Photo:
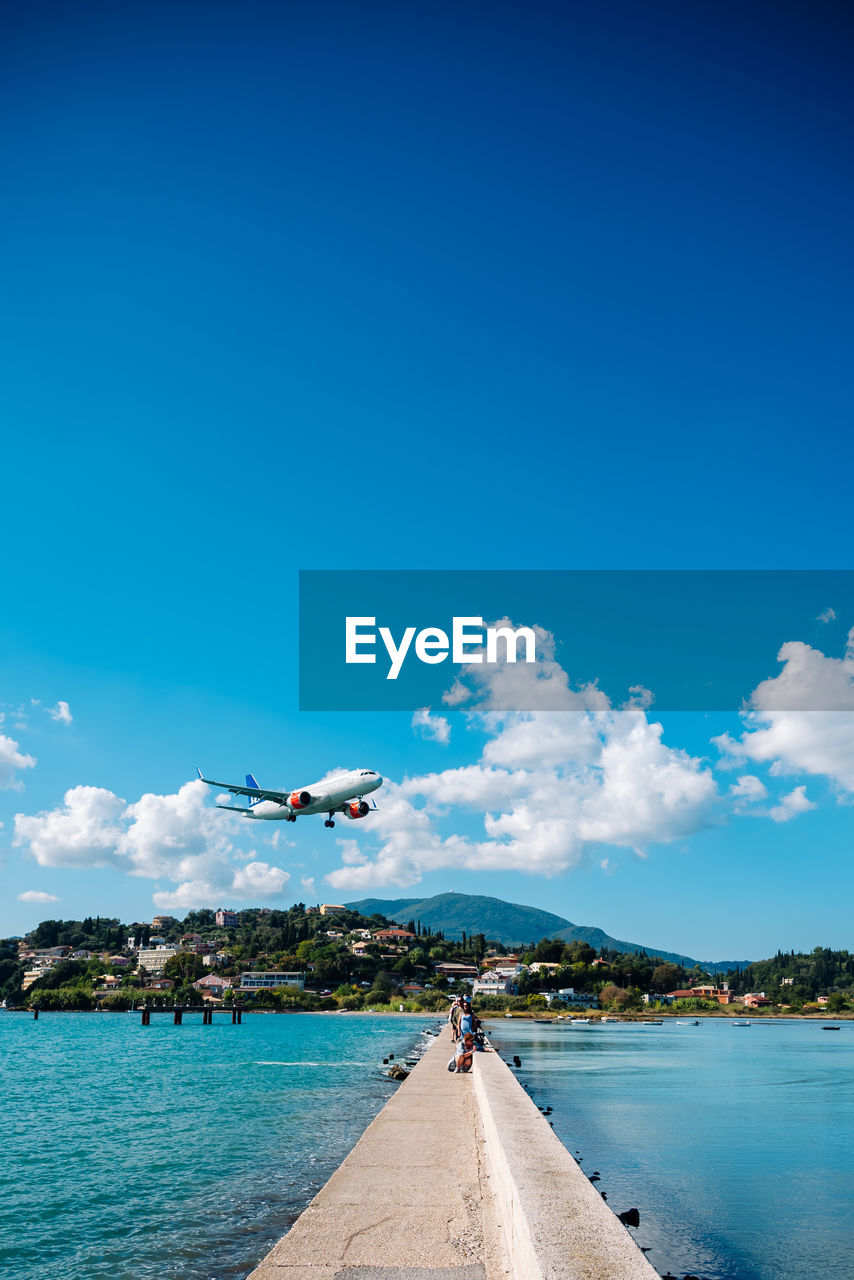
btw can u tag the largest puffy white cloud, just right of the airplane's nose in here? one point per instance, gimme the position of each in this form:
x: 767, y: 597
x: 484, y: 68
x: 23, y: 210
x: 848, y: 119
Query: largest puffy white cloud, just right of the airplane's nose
x: 552, y: 784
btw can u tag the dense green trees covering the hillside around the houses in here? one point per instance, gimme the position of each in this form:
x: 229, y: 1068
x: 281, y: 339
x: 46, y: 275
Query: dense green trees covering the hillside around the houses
x: 299, y: 940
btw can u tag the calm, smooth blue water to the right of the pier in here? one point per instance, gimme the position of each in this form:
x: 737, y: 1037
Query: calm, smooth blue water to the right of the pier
x: 737, y: 1145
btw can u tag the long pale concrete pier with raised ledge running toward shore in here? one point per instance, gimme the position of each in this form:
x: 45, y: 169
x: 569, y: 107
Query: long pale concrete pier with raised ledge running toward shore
x: 459, y: 1178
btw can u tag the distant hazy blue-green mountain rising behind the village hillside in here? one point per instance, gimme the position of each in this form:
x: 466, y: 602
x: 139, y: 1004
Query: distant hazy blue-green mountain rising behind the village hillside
x: 513, y: 925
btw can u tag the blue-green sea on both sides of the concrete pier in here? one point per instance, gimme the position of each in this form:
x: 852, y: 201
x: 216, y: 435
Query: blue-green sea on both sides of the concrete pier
x: 185, y: 1153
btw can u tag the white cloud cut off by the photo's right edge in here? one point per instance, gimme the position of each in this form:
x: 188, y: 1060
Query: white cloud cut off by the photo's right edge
x: 802, y: 721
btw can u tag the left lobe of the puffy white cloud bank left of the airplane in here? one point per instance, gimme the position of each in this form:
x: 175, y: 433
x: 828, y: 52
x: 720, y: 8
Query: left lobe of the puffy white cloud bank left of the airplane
x: 84, y: 833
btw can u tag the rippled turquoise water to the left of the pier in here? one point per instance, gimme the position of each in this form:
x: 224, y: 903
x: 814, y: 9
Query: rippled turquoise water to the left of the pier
x: 138, y: 1153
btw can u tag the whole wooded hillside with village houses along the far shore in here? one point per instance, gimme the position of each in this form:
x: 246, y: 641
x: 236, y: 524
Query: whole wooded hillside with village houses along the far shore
x: 331, y: 957
